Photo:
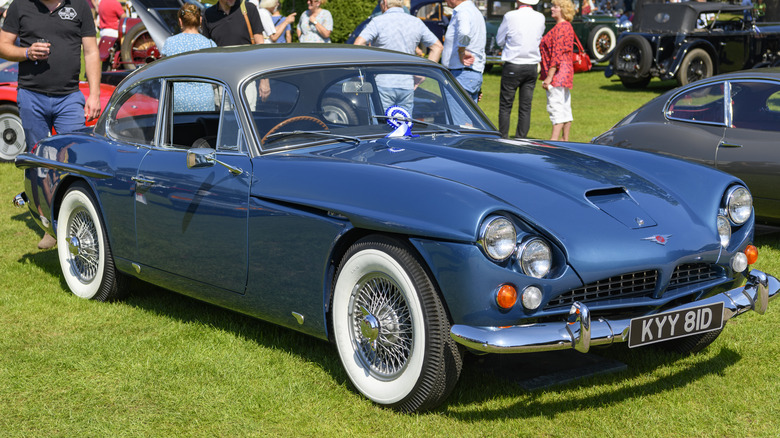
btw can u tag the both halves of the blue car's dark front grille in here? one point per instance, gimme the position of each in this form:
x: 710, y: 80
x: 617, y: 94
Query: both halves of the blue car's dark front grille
x: 635, y: 284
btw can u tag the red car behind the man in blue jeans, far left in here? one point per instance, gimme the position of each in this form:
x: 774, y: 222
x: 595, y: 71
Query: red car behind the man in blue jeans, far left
x: 12, y: 142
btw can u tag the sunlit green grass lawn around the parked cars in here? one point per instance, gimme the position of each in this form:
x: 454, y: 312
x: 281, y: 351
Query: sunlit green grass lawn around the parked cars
x: 160, y: 364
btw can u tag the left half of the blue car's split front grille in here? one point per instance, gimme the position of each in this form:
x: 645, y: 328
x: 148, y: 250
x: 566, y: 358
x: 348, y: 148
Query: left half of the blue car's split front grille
x: 635, y: 284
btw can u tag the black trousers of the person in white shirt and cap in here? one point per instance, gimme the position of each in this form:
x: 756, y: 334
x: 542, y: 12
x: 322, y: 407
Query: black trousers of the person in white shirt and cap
x: 514, y: 76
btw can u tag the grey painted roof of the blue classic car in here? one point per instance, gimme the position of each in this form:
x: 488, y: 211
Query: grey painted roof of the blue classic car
x: 233, y: 64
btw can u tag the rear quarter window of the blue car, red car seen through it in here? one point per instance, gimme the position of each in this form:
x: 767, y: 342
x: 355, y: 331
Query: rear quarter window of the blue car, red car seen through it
x: 134, y: 118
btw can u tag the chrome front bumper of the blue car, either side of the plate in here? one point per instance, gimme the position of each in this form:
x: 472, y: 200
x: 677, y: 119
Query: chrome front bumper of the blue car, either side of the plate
x: 580, y: 333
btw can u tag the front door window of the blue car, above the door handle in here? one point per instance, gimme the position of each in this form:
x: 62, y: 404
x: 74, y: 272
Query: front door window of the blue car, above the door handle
x: 194, y: 114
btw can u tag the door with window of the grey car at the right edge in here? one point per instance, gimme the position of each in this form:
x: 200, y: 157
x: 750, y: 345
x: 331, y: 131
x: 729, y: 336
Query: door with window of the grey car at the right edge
x: 750, y: 147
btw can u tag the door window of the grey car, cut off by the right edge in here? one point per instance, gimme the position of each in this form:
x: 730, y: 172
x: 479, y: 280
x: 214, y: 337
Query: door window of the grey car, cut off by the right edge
x: 755, y: 105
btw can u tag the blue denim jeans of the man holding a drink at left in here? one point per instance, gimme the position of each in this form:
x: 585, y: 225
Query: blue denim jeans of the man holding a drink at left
x: 41, y: 113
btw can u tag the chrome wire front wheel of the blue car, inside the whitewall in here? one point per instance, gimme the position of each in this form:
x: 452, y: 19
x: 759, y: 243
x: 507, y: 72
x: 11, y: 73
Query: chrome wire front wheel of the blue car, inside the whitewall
x: 381, y: 326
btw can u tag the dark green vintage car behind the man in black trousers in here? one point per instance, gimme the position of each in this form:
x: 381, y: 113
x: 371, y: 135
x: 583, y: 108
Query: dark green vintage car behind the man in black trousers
x: 597, y: 32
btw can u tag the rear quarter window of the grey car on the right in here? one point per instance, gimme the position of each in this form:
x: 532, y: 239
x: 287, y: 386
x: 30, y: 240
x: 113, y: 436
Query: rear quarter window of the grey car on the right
x: 702, y: 105
